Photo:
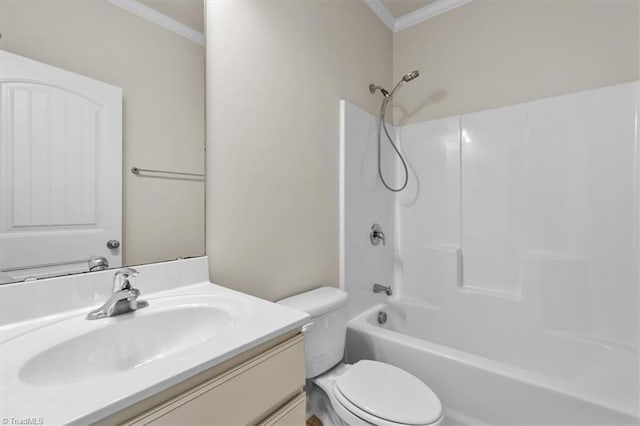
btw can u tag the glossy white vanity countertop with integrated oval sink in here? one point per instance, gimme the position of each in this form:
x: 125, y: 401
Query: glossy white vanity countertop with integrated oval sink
x: 79, y: 371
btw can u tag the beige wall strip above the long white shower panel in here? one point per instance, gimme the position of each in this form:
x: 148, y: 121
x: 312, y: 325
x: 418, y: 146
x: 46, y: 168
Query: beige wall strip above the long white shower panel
x: 491, y: 53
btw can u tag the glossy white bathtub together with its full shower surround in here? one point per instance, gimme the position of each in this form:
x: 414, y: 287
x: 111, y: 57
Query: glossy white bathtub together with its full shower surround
x: 513, y: 254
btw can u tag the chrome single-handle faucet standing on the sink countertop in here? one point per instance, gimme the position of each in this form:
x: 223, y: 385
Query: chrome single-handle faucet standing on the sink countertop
x: 124, y: 297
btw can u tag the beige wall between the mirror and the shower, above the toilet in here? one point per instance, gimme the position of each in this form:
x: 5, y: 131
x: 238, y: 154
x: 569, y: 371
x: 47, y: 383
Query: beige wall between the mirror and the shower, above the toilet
x: 276, y: 70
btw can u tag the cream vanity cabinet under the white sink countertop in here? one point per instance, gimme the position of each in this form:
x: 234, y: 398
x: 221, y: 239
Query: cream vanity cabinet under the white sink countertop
x: 262, y: 386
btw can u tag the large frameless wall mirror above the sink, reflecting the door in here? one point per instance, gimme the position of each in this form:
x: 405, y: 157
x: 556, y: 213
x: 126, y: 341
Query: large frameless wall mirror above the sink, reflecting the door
x: 101, y: 134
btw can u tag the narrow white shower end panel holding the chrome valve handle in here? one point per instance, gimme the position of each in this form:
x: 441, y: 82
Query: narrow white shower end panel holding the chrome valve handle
x: 364, y: 201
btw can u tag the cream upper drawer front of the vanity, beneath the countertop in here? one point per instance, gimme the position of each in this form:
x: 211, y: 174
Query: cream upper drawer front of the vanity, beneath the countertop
x: 240, y: 396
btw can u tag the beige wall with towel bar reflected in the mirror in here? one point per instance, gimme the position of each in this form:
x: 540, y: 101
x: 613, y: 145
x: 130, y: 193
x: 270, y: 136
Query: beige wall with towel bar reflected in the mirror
x: 162, y: 77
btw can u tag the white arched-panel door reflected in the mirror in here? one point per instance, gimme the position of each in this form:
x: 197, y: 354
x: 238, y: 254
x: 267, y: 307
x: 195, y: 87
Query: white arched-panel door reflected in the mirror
x: 60, y: 169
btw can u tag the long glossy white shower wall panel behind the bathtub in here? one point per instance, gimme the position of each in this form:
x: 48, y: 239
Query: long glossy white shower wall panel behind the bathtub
x: 544, y: 241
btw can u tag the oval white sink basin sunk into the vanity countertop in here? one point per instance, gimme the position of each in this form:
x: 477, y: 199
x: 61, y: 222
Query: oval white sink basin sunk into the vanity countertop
x: 130, y: 341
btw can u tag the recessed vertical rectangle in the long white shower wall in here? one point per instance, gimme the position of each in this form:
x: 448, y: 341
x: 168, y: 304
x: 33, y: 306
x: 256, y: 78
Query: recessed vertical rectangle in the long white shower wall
x: 493, y: 145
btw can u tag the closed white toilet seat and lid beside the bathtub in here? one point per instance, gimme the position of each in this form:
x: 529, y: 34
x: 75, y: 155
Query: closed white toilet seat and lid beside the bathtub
x: 380, y: 394
